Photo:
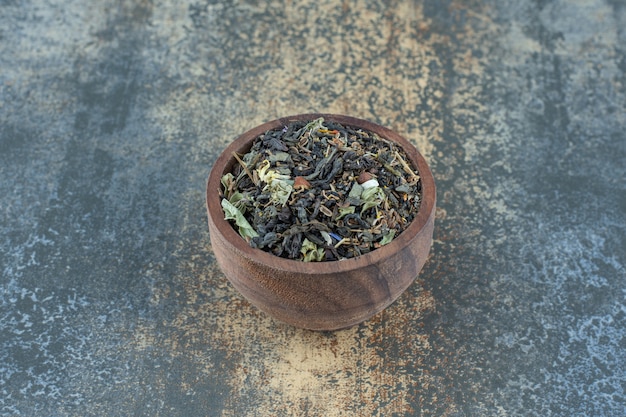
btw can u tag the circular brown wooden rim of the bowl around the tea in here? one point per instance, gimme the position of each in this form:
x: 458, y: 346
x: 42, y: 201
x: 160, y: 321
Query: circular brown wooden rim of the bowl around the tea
x: 242, y: 144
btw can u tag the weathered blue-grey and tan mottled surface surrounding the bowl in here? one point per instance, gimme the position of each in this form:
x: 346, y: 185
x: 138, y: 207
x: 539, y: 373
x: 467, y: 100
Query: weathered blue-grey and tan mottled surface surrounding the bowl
x: 112, y: 113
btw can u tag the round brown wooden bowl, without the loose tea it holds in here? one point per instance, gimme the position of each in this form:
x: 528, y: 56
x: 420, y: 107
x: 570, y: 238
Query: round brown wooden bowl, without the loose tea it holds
x: 321, y: 295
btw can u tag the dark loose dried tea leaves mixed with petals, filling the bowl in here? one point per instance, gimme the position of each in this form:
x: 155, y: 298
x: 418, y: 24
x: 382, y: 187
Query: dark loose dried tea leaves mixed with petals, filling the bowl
x: 321, y: 192
